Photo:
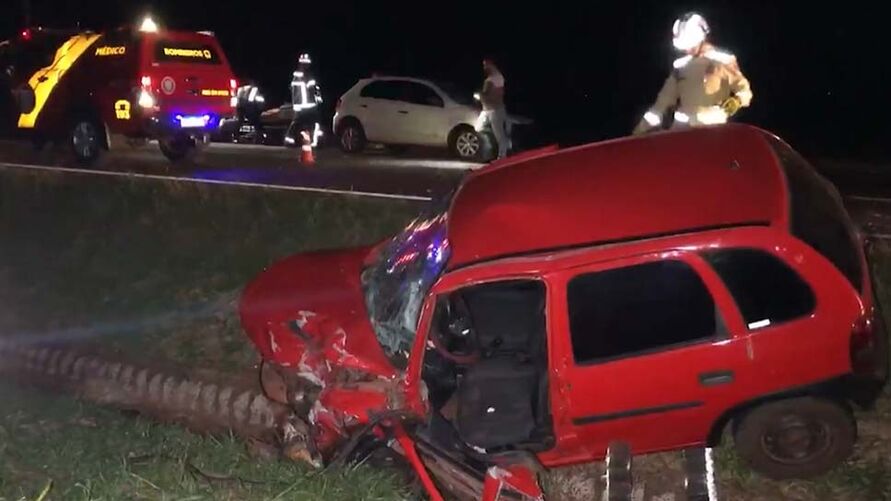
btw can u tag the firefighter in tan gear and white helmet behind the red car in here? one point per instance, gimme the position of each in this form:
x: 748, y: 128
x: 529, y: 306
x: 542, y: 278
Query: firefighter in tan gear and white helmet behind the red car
x: 705, y: 87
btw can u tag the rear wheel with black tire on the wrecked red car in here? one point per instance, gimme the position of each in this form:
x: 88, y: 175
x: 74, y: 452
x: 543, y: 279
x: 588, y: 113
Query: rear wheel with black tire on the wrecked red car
x: 796, y: 438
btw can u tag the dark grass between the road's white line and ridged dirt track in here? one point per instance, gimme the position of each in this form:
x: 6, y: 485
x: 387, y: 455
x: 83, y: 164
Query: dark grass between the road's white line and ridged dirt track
x: 148, y: 267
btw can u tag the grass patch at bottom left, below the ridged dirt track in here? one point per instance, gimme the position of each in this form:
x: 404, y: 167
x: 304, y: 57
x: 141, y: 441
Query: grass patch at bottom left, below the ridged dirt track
x: 87, y: 453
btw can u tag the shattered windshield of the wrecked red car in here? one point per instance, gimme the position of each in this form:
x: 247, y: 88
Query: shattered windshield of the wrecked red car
x: 397, y: 282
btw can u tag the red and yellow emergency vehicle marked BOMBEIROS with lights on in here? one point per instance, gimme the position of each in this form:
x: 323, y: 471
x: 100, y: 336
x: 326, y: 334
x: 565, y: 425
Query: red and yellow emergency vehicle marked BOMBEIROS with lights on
x: 89, y: 89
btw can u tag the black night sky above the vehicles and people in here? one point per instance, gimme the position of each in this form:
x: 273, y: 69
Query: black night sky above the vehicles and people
x: 584, y: 70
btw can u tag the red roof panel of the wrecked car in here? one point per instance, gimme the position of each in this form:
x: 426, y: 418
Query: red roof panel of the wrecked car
x: 624, y: 189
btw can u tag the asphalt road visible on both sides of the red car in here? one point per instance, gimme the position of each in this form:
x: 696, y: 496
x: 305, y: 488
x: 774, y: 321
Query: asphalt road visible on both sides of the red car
x: 415, y: 175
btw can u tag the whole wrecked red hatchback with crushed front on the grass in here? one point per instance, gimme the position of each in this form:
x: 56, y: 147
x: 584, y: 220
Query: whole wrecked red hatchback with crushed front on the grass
x: 650, y: 290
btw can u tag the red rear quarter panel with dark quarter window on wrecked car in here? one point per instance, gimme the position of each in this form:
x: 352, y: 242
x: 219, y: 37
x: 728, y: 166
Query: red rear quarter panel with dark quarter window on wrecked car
x: 786, y: 321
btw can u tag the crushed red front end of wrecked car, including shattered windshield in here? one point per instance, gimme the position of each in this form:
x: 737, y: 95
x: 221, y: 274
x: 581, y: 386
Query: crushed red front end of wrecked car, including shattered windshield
x: 335, y: 330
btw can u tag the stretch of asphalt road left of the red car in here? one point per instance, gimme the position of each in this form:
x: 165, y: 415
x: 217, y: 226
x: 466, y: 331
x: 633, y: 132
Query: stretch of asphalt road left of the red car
x: 414, y: 175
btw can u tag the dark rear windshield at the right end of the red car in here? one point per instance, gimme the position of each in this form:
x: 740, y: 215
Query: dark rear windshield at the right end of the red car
x: 818, y: 216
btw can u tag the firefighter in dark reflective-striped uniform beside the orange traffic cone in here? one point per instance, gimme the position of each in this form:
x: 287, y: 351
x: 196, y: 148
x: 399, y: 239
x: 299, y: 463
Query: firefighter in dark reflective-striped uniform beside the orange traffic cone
x: 306, y: 97
